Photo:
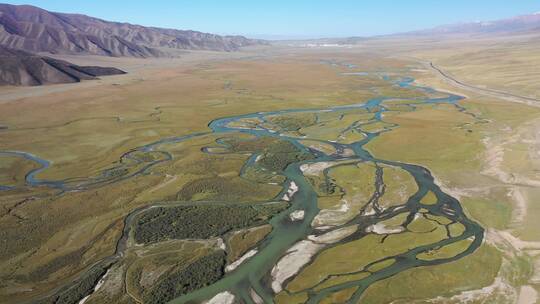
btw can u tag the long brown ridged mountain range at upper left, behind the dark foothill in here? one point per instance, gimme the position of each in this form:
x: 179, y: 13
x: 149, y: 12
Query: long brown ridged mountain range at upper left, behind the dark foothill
x: 36, y: 30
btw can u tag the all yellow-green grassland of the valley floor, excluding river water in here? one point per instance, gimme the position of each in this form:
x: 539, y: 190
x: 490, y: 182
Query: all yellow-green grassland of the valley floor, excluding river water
x: 66, y: 234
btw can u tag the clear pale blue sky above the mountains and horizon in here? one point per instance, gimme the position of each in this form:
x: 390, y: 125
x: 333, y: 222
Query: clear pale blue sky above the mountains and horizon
x: 293, y: 19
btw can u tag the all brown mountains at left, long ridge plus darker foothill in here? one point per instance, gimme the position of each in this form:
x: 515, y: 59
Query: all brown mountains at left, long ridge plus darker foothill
x: 26, y: 30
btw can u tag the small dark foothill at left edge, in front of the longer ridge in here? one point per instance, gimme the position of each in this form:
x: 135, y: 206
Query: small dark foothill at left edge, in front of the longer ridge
x: 23, y: 68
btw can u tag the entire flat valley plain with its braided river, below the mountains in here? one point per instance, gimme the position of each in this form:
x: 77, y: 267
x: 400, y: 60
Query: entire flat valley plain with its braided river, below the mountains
x: 155, y: 143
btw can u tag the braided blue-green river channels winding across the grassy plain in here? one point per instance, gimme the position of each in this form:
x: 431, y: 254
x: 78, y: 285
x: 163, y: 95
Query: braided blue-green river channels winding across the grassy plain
x: 253, y: 275
